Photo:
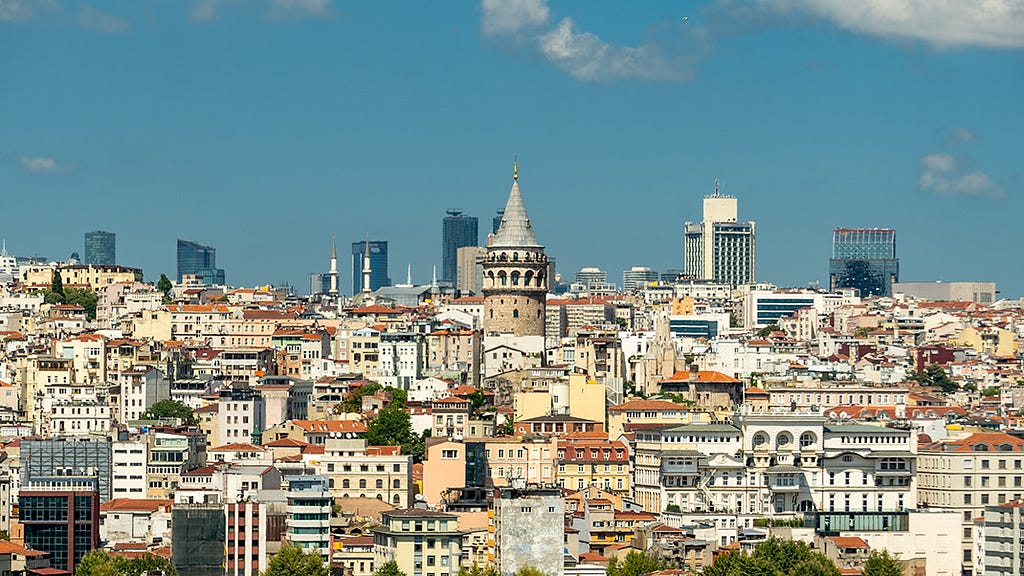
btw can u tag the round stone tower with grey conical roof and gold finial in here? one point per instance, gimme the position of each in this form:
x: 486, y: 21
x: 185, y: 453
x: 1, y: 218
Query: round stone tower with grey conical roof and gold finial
x: 516, y: 280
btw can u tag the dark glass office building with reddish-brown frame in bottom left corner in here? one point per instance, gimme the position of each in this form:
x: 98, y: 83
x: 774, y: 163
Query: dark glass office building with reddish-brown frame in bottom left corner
x: 61, y: 517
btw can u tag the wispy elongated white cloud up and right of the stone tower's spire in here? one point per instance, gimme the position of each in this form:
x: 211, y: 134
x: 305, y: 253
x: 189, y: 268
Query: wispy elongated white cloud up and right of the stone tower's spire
x: 586, y: 57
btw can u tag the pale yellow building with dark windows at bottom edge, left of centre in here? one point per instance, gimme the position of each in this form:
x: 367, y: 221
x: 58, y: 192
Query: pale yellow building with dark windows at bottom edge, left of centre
x: 422, y: 543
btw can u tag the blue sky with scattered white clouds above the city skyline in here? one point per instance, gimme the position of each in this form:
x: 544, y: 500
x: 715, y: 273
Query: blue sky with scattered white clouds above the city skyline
x: 265, y: 128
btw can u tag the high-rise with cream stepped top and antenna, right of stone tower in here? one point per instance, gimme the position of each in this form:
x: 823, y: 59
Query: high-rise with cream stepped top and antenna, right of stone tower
x: 719, y: 248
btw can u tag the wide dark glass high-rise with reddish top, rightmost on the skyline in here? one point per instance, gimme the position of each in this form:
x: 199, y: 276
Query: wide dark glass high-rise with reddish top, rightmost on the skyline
x: 866, y: 260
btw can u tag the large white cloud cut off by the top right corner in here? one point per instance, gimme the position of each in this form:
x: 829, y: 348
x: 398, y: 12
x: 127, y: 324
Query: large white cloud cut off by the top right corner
x: 992, y: 24
